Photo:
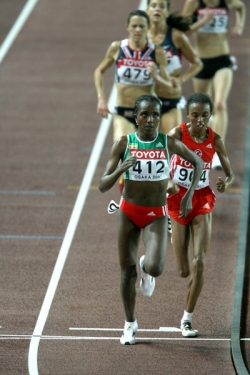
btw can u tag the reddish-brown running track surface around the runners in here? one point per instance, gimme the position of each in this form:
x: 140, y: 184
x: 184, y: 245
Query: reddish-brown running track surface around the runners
x: 48, y: 127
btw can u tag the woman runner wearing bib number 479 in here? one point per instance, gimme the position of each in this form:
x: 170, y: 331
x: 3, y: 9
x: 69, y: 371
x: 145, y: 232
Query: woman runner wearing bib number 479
x: 139, y: 65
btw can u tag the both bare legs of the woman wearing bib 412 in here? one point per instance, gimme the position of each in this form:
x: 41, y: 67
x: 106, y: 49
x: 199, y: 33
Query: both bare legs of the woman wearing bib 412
x: 155, y: 242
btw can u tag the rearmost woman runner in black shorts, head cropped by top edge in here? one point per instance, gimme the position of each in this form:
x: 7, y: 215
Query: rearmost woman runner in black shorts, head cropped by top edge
x: 212, y: 46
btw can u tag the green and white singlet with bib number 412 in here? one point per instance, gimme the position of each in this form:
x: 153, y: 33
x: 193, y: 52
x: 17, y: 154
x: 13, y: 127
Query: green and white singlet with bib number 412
x: 152, y: 158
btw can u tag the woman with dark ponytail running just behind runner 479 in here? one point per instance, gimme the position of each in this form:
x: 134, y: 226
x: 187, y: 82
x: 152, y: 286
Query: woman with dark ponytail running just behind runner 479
x: 168, y: 31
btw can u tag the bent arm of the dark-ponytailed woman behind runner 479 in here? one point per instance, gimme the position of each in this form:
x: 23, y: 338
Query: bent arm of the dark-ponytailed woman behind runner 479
x: 181, y: 41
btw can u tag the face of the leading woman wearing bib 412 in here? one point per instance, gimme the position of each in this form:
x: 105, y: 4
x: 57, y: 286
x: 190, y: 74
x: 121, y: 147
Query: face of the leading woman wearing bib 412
x: 148, y: 118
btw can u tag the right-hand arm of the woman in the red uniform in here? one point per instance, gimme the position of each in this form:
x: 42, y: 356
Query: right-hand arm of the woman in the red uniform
x: 223, y: 185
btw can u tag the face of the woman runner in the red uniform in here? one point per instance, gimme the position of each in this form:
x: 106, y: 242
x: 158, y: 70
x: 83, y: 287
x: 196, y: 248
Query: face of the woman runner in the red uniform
x: 199, y: 115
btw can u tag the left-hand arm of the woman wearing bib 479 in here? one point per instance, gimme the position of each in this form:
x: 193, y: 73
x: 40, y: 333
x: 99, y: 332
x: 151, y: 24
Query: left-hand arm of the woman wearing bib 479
x: 107, y: 62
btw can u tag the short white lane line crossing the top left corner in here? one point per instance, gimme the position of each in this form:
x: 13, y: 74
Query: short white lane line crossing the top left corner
x: 24, y: 15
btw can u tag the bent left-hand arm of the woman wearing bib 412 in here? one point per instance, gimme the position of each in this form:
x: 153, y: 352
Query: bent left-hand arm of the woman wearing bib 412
x: 113, y: 171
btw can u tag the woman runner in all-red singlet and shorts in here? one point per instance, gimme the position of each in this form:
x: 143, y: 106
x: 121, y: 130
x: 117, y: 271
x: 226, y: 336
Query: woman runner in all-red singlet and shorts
x: 196, y: 227
